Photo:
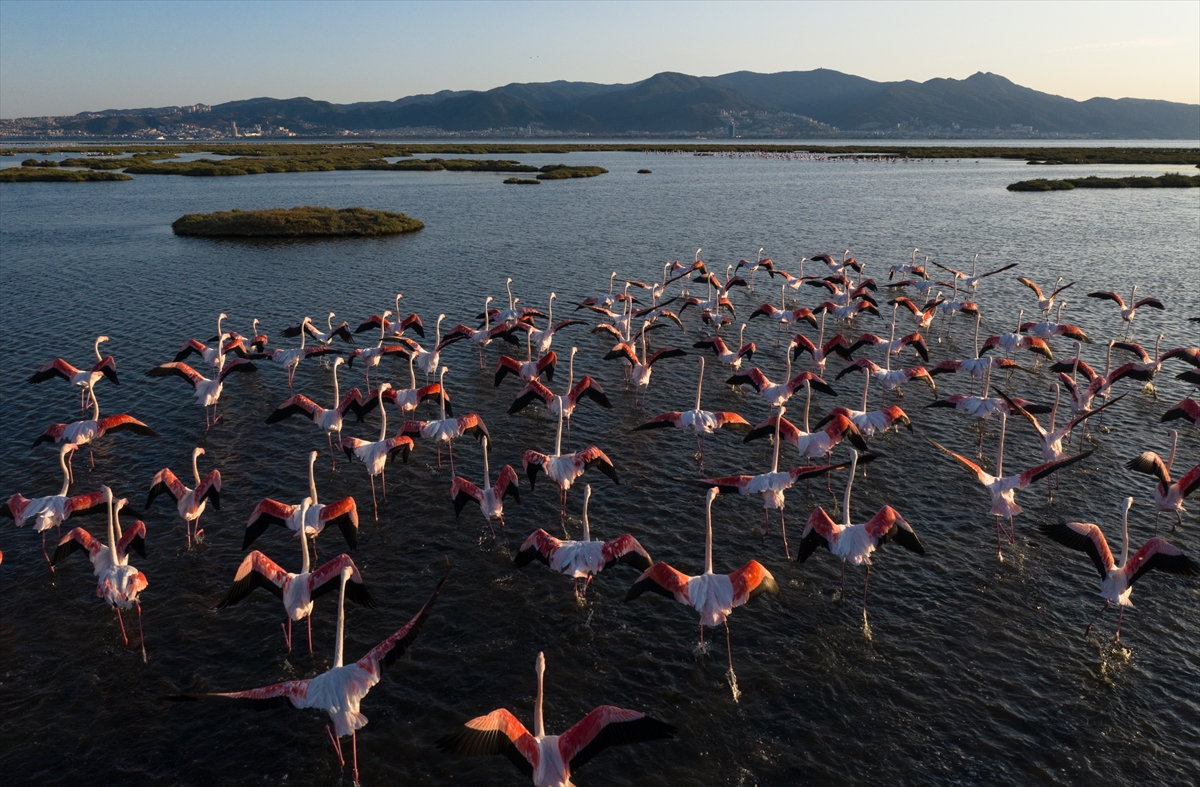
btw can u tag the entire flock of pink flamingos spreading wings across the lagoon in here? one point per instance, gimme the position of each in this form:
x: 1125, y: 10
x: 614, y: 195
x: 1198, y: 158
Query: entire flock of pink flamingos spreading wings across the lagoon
x: 633, y: 314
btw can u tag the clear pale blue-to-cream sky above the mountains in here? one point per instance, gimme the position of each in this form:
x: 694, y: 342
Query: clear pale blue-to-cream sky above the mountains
x: 63, y: 58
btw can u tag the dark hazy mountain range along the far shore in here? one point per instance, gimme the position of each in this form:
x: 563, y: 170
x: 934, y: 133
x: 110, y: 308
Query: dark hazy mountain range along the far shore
x: 820, y: 103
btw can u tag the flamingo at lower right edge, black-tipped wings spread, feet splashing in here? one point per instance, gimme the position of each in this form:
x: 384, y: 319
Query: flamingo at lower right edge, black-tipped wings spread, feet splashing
x: 1117, y: 581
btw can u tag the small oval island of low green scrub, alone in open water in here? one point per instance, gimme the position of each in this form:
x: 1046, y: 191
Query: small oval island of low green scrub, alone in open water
x: 297, y: 223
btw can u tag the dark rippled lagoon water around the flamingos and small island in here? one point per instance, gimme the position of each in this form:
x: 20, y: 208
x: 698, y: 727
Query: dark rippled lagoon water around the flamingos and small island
x: 971, y: 672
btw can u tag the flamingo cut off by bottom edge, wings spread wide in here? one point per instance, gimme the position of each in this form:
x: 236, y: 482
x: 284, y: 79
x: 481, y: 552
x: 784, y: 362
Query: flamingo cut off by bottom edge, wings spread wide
x: 550, y: 761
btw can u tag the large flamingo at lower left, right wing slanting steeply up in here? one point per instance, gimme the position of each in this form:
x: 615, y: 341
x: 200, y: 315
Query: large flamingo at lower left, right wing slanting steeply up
x: 340, y: 689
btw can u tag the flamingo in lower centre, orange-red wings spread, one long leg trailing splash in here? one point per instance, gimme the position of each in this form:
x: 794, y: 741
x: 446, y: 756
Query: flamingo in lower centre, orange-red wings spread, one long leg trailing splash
x: 713, y: 596
